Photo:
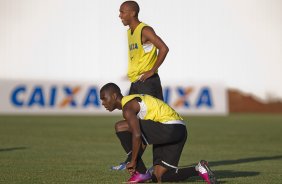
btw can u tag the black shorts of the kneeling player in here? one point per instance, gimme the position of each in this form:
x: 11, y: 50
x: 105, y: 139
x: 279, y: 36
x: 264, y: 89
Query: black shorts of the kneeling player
x: 168, y: 141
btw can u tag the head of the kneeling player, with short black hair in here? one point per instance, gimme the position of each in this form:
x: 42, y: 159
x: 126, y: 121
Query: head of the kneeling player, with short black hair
x: 109, y: 94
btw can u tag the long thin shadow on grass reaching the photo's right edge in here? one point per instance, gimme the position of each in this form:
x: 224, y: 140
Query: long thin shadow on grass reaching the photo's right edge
x: 243, y: 160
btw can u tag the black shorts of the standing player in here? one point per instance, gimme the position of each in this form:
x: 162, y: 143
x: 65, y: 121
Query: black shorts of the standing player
x: 151, y: 86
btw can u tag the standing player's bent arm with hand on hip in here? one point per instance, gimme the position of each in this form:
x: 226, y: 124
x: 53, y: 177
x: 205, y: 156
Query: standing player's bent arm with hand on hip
x: 149, y: 36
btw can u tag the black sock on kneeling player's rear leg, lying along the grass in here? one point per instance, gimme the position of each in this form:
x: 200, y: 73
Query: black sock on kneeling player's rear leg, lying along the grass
x: 181, y: 175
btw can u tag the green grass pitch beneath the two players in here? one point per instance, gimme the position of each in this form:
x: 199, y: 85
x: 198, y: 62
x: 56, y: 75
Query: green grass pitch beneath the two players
x: 241, y: 148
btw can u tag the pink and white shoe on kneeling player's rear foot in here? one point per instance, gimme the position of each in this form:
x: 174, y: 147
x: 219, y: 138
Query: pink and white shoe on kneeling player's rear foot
x: 205, y: 172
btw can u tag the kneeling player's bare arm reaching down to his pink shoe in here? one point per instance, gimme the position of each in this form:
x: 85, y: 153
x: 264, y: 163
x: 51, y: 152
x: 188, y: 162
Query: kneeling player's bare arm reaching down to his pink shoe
x: 129, y: 113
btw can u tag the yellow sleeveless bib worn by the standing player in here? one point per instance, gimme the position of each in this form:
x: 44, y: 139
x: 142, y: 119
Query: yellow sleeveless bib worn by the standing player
x: 141, y: 57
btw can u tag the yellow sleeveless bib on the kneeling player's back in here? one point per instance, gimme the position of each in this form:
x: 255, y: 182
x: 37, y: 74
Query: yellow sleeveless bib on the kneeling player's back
x: 152, y: 108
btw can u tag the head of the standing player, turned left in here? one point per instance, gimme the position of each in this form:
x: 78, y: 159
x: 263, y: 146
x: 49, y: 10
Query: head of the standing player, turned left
x: 128, y: 10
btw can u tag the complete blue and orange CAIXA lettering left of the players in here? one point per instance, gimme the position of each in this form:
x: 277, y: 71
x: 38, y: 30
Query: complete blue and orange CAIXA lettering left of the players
x: 40, y: 97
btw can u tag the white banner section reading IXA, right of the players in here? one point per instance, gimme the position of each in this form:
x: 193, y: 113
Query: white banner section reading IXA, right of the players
x: 196, y: 98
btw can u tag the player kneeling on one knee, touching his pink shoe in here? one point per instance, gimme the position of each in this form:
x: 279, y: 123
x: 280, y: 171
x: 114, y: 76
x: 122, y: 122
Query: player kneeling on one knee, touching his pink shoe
x: 150, y: 120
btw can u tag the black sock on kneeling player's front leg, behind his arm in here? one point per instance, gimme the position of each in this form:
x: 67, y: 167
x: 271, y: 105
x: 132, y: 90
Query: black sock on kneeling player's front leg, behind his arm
x: 125, y: 138
